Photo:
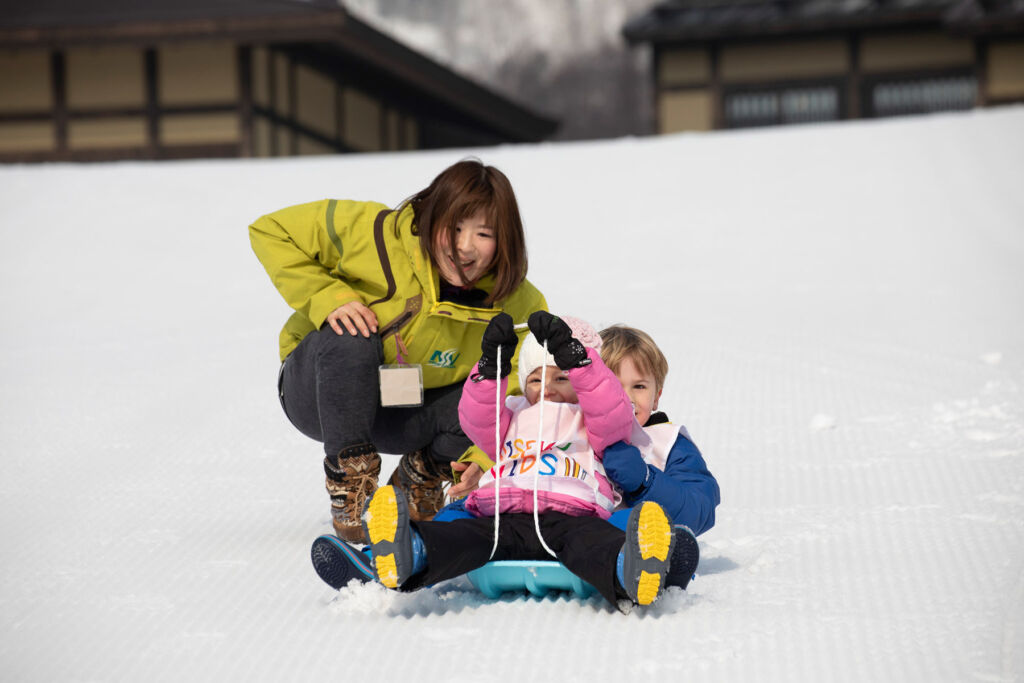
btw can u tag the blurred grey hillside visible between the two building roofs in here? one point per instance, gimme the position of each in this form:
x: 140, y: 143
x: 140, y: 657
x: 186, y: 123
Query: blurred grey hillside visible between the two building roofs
x: 563, y: 58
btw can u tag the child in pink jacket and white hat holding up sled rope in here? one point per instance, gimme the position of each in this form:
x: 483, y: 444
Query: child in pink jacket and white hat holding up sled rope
x: 585, y: 410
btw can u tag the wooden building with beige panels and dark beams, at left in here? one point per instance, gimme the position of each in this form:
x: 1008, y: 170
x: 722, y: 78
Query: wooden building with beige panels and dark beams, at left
x: 83, y: 80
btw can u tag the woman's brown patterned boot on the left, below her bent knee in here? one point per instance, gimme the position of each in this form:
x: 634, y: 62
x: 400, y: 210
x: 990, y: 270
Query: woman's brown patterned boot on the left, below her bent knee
x: 352, y: 480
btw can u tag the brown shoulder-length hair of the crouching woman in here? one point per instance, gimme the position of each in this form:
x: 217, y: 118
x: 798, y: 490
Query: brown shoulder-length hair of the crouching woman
x: 460, y: 192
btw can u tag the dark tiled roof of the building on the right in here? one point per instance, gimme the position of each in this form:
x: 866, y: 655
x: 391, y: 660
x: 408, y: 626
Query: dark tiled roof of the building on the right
x: 698, y: 21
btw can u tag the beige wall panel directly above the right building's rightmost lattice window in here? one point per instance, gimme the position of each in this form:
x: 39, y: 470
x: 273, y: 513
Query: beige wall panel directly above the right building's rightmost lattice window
x: 915, y: 52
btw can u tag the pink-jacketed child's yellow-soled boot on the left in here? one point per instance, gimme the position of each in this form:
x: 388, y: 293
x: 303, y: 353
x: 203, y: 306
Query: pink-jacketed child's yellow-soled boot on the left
x: 398, y: 550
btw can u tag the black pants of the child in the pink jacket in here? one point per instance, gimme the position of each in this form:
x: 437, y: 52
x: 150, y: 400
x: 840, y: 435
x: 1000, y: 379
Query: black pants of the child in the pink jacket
x: 587, y: 546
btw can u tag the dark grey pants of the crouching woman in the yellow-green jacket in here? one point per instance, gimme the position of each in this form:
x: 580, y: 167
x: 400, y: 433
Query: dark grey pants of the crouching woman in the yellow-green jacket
x: 330, y: 390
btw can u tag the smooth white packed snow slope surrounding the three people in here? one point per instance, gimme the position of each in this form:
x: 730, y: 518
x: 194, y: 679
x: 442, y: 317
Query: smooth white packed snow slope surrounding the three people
x: 843, y: 310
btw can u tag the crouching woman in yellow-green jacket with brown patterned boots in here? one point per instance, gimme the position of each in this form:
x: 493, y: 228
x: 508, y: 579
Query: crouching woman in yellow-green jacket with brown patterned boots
x: 413, y: 288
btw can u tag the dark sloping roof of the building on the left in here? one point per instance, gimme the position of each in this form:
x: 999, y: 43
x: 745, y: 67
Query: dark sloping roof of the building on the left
x: 323, y: 26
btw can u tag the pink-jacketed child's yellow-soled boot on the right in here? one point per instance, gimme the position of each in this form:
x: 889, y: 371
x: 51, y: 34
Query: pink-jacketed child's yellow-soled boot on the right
x: 644, y: 563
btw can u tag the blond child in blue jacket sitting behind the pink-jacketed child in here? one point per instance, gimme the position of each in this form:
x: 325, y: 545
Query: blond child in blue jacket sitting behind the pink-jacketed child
x: 661, y: 463
